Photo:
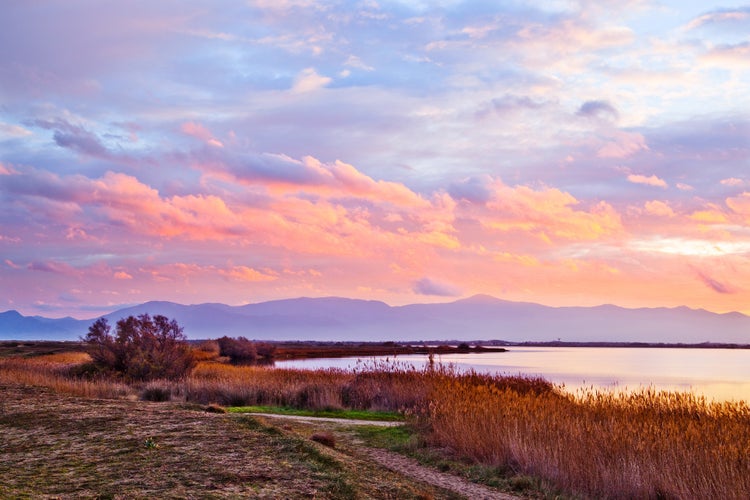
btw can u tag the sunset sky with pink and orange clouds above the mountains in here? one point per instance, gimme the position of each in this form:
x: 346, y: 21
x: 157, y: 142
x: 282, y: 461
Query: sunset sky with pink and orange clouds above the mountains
x: 569, y: 153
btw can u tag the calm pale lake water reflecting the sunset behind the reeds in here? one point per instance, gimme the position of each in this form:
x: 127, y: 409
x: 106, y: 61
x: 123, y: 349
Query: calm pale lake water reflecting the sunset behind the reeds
x: 720, y: 374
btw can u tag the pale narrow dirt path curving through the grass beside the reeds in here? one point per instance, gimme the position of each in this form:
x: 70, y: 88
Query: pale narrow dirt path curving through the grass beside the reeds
x: 401, y: 464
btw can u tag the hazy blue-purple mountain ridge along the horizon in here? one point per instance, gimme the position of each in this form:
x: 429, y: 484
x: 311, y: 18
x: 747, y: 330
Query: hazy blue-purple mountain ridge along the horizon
x: 481, y: 317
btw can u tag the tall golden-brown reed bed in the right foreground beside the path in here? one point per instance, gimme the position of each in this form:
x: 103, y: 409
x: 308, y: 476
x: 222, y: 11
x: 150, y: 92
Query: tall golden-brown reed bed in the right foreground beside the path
x: 645, y: 444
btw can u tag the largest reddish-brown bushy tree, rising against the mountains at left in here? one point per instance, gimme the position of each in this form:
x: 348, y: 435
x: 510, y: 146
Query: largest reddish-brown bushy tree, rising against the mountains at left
x: 142, y: 348
